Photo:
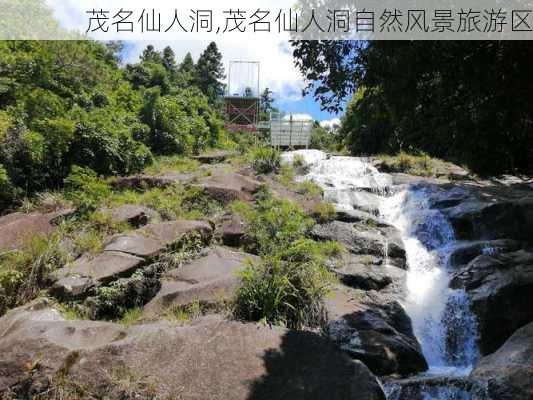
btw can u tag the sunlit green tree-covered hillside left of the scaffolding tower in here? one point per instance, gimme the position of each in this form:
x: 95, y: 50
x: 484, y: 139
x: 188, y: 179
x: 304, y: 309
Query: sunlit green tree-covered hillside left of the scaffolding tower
x: 70, y: 106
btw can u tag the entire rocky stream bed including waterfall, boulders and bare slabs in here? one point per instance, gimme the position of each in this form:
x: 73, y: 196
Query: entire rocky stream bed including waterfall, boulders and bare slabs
x: 433, y: 299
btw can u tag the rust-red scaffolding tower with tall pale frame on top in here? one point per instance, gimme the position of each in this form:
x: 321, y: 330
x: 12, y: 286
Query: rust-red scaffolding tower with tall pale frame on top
x: 242, y: 97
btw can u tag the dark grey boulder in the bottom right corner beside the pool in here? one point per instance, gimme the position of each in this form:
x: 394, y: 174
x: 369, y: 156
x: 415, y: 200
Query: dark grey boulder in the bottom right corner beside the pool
x: 507, y: 373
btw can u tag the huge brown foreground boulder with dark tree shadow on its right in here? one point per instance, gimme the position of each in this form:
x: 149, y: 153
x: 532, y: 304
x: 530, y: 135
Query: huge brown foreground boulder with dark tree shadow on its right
x: 210, y: 359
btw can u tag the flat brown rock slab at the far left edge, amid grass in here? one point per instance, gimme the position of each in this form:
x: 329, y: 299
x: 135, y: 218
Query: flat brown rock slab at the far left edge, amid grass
x: 16, y: 228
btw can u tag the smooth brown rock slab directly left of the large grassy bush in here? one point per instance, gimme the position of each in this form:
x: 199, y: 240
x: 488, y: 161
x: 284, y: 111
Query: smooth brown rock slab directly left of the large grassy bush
x: 207, y: 279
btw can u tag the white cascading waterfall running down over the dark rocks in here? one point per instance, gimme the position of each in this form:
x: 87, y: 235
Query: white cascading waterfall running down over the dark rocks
x: 440, y: 316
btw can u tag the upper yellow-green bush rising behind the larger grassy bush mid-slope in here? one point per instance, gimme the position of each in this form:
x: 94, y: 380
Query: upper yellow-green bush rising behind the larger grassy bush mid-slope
x: 272, y: 224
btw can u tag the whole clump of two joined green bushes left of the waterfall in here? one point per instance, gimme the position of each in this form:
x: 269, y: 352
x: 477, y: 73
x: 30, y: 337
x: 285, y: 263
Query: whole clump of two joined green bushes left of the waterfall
x: 287, y: 286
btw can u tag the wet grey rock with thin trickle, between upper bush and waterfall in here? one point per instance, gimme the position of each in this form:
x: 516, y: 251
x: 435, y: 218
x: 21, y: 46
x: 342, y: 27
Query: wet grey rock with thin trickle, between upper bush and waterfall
x: 376, y: 240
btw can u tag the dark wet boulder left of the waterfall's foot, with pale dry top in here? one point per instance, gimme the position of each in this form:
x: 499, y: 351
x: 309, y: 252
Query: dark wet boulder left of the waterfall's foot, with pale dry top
x: 376, y: 330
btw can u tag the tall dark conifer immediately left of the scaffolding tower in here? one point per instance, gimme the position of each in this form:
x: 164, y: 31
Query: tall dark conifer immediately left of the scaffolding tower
x: 210, y: 72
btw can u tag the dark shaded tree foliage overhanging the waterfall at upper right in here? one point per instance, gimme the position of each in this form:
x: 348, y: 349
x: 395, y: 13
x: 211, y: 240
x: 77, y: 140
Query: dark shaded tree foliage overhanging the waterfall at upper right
x: 467, y: 102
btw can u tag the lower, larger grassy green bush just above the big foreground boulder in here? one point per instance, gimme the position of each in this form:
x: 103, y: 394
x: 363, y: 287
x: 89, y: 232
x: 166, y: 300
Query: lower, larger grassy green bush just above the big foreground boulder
x: 287, y: 287
